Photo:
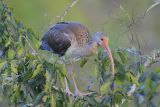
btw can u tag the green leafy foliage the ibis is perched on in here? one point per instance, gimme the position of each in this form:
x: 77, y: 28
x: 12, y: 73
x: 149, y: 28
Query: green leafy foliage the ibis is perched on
x: 28, y: 77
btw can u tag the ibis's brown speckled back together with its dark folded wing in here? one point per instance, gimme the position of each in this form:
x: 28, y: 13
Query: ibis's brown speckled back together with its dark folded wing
x: 62, y: 35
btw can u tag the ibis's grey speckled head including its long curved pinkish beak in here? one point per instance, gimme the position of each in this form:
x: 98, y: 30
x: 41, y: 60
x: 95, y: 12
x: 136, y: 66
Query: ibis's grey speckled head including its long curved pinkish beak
x: 102, y: 40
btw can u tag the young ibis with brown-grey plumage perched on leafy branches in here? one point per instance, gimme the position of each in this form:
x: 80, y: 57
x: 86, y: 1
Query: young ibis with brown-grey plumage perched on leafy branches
x: 71, y: 40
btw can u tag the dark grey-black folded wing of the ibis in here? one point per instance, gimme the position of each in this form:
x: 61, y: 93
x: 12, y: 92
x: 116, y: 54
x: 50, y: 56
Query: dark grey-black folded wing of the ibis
x: 56, y: 40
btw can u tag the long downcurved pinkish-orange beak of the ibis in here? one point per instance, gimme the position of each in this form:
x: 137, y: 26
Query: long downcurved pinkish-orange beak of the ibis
x: 107, y: 49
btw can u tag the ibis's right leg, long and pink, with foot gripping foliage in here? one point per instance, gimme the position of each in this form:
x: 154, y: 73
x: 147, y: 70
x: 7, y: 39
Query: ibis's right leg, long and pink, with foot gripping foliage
x: 76, y: 91
